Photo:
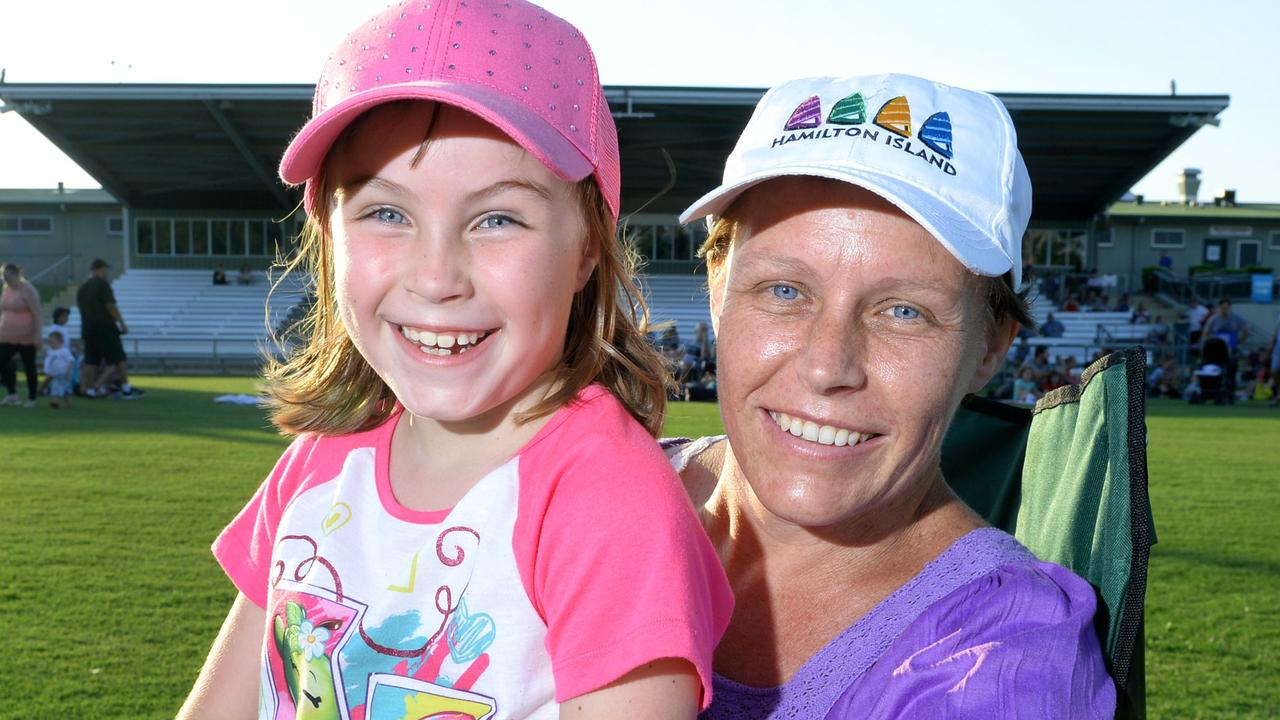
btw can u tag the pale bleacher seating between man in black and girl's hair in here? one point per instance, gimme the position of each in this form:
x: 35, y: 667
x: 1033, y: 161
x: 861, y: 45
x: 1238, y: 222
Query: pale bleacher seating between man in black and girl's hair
x: 182, y: 315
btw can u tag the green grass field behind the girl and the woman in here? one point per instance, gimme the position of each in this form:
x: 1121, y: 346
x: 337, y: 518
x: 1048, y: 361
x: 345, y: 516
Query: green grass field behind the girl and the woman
x: 109, y: 596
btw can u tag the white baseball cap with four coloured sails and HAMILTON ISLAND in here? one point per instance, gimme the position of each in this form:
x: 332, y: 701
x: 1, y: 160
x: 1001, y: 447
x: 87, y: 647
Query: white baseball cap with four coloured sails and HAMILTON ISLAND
x: 944, y: 156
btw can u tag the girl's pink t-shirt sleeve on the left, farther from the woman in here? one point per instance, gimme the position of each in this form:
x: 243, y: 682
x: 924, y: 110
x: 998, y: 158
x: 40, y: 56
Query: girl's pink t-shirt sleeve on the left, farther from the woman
x: 244, y: 549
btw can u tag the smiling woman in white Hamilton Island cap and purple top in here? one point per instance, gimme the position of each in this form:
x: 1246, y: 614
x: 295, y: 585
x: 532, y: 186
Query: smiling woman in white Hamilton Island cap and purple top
x: 861, y: 275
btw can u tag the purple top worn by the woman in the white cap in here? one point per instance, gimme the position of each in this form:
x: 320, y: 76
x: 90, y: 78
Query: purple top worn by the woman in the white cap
x: 984, y: 631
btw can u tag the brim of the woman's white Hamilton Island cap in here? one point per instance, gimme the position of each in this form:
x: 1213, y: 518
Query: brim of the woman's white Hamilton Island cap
x: 952, y: 229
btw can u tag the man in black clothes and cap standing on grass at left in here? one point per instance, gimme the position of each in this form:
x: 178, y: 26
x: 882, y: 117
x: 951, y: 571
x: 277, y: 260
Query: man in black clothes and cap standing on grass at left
x: 102, y: 327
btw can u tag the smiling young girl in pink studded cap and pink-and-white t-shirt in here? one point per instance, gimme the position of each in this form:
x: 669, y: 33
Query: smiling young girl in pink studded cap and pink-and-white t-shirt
x: 474, y: 521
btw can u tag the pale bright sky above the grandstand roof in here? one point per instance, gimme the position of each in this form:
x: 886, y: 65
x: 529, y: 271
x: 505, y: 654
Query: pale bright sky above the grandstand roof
x: 1224, y: 48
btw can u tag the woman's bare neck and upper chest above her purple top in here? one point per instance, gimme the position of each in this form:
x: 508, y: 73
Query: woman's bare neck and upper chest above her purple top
x: 798, y: 589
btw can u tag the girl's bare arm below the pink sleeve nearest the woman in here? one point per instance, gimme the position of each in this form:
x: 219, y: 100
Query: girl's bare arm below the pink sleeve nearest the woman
x: 664, y: 690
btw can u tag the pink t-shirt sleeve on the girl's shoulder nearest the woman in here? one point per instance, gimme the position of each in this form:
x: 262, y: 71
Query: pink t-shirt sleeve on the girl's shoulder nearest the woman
x: 621, y: 569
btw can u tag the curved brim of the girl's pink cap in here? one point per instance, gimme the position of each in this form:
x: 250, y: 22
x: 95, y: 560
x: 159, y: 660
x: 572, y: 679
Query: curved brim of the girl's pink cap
x: 310, y: 147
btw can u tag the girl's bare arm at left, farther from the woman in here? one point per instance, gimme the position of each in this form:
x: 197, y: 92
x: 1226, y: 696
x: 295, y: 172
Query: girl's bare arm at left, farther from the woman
x: 227, y: 686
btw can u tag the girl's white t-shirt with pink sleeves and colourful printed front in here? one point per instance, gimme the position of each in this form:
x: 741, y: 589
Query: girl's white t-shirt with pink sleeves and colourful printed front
x: 577, y: 562
